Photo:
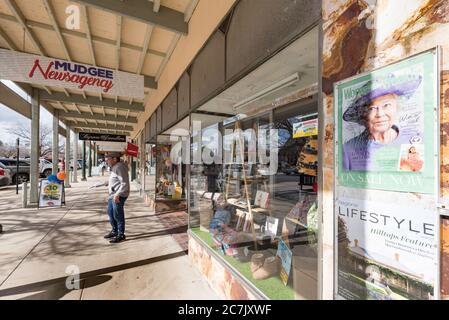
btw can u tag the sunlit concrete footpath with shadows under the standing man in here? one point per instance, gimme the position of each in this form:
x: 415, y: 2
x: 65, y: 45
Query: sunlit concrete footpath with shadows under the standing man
x: 40, y: 249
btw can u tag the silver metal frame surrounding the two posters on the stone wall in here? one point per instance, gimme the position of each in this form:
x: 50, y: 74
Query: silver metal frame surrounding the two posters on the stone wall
x: 436, y: 51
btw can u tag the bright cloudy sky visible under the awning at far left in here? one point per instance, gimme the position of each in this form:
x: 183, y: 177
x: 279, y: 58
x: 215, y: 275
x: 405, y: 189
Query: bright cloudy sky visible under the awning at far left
x: 10, y: 119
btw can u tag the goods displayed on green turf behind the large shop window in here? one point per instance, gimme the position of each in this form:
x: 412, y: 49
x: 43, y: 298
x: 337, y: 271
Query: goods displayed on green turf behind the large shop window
x: 262, y: 221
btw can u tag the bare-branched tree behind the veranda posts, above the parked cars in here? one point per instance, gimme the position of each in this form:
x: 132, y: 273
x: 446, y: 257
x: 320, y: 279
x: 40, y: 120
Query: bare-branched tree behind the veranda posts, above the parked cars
x: 45, y: 139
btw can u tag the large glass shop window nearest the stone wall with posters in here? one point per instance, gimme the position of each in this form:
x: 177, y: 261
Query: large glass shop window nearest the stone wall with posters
x: 253, y: 177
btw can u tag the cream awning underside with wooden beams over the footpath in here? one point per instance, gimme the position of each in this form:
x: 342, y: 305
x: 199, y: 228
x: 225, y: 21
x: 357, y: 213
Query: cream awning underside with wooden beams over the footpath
x: 110, y: 36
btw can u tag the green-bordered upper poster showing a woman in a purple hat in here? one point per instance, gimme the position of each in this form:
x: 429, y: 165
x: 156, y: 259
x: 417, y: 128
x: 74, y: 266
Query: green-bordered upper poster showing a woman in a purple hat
x: 386, y: 125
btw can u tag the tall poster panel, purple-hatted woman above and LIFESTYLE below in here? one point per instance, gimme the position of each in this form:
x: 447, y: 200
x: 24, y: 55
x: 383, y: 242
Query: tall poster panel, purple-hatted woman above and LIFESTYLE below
x: 386, y: 181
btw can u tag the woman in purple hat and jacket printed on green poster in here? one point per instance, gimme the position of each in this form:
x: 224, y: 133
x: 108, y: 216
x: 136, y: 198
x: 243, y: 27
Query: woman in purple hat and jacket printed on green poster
x: 377, y: 111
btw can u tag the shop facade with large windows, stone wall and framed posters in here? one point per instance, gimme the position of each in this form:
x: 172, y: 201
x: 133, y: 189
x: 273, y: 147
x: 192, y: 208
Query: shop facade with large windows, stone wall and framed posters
x: 256, y: 143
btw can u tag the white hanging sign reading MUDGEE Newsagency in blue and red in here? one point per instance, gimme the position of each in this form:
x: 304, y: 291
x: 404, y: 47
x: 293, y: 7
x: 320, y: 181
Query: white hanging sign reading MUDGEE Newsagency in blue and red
x: 23, y: 67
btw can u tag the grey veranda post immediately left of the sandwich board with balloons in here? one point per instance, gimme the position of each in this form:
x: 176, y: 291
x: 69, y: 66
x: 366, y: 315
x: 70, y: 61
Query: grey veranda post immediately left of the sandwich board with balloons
x: 35, y: 152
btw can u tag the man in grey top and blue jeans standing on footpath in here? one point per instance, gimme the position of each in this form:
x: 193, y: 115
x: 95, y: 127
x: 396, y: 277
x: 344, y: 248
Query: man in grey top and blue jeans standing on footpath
x: 118, y: 193
